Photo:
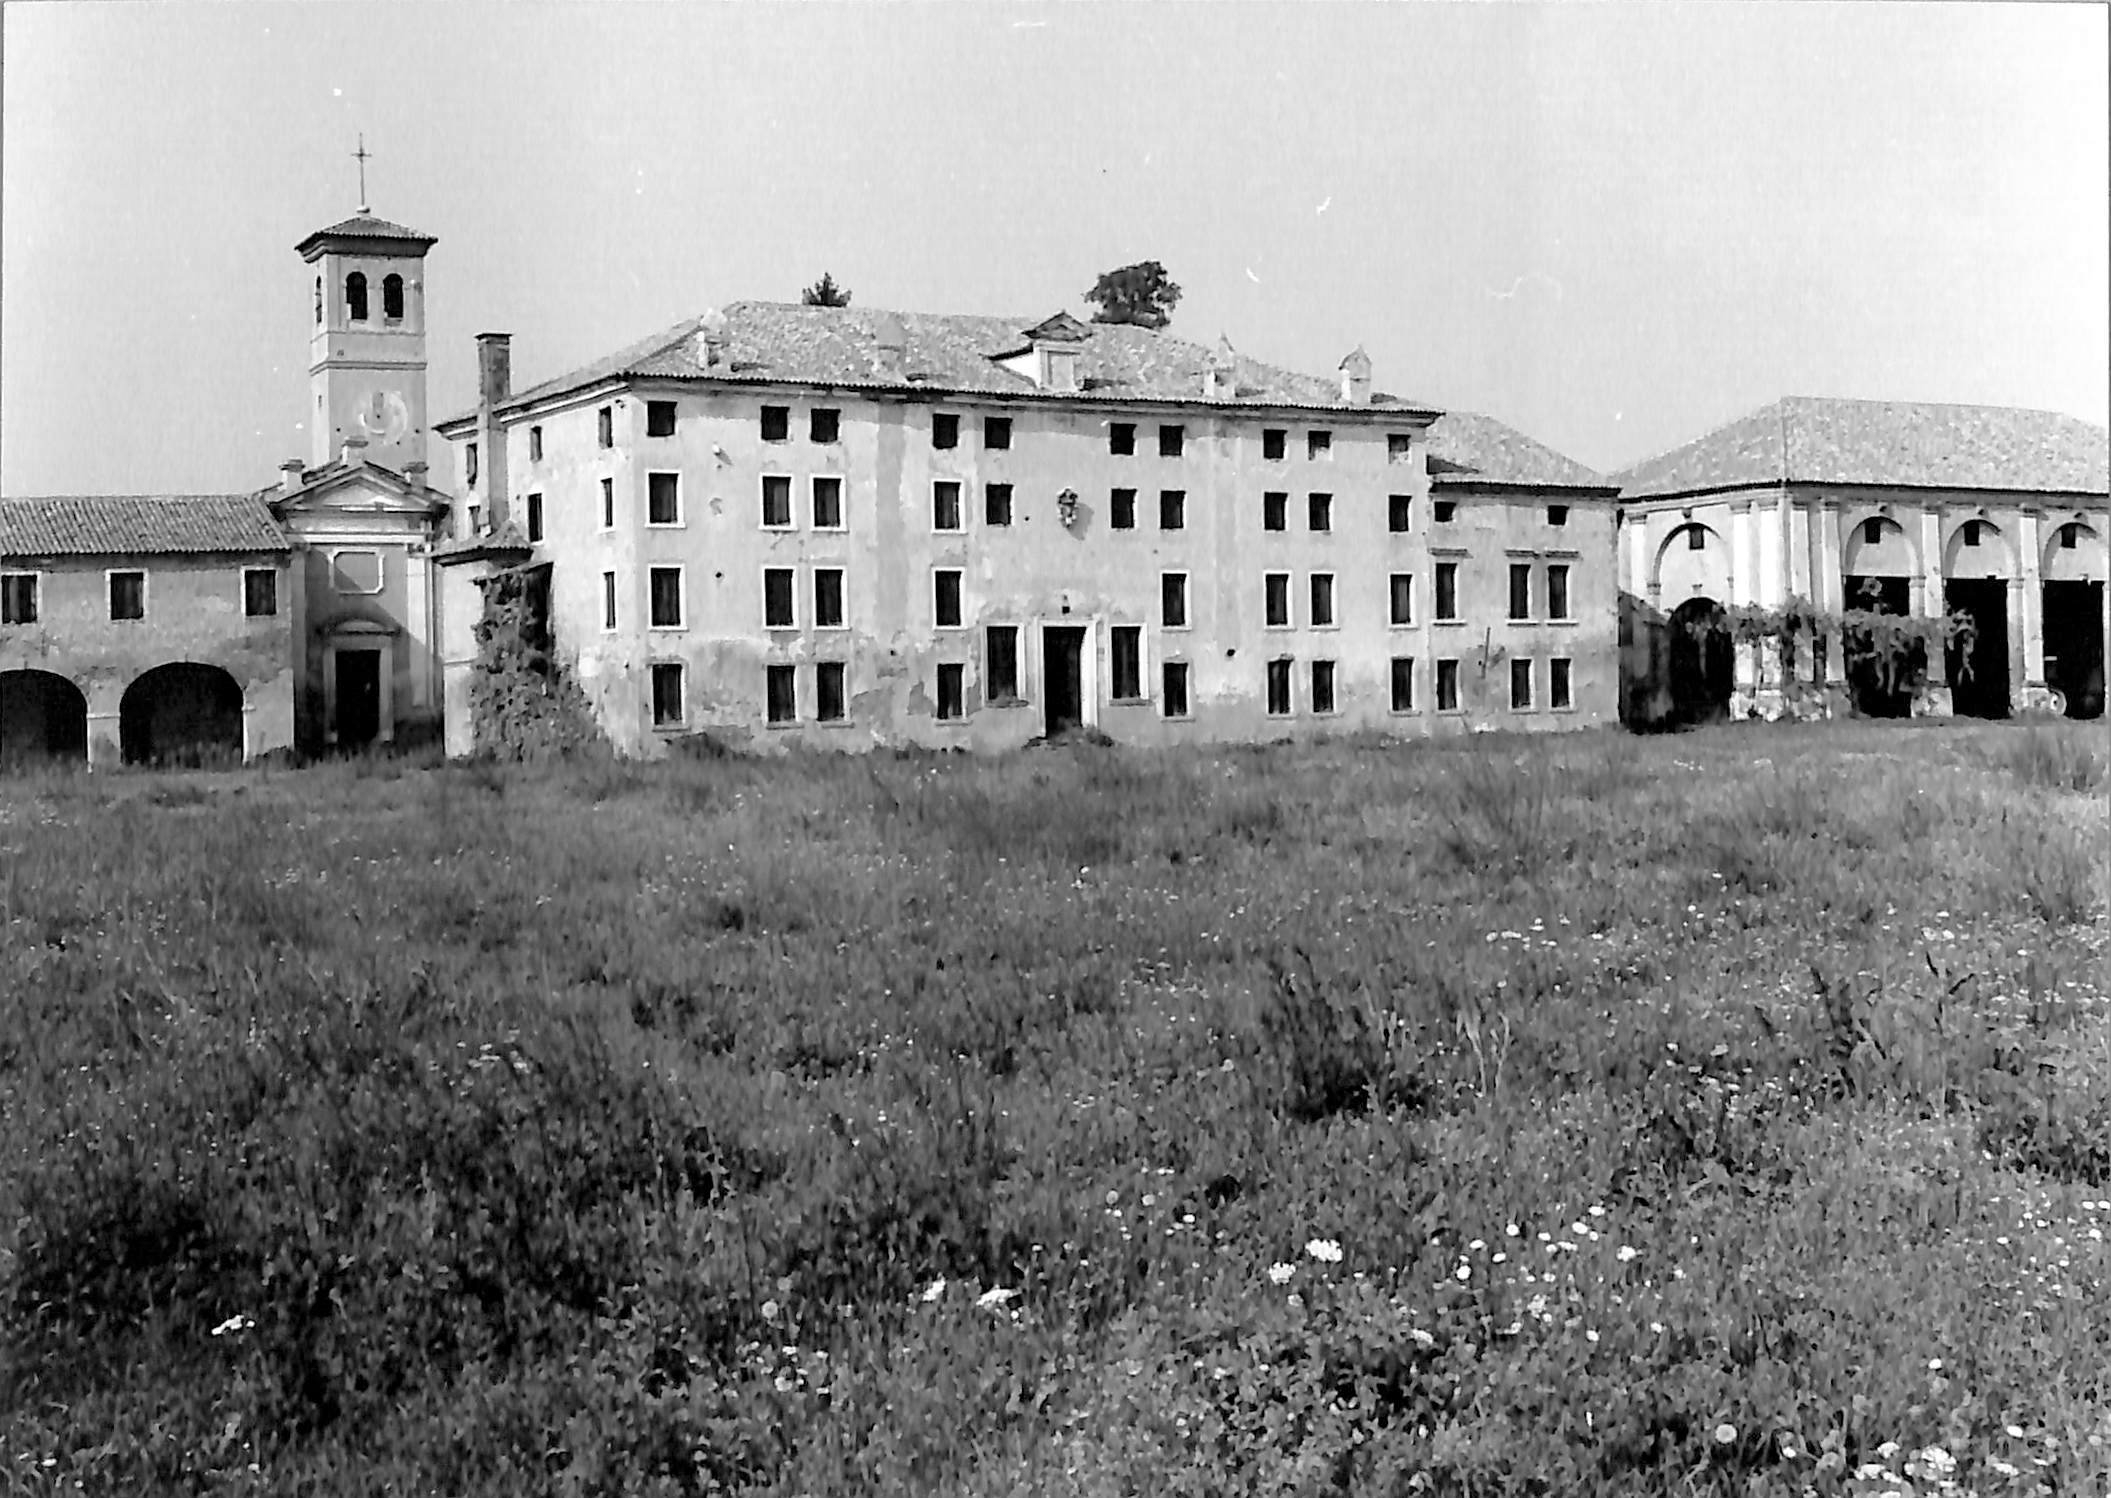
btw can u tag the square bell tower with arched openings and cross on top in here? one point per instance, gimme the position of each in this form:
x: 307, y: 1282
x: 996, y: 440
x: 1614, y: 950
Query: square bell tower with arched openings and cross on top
x: 366, y: 362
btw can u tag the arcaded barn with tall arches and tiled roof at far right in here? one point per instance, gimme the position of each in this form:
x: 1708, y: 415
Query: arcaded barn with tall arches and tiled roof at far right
x: 1914, y: 507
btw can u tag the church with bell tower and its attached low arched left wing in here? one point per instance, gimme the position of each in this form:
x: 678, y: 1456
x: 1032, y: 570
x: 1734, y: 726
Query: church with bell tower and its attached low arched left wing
x: 221, y: 628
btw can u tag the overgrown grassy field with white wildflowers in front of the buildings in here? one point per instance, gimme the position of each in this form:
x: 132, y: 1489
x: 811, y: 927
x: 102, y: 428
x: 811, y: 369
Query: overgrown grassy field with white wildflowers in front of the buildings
x: 1719, y: 1115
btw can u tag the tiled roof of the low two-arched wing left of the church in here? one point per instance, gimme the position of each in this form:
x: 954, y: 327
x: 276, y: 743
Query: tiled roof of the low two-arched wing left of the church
x: 138, y: 524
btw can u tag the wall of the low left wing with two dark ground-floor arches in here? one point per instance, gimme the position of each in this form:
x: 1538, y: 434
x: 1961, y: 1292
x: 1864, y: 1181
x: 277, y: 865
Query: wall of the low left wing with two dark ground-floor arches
x: 193, y: 615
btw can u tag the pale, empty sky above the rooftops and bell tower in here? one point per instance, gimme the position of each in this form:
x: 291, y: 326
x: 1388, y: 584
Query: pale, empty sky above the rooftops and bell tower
x: 1608, y: 225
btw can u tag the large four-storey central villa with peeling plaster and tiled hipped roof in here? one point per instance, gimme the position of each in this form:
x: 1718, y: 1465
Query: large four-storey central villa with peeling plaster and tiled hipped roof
x: 845, y: 526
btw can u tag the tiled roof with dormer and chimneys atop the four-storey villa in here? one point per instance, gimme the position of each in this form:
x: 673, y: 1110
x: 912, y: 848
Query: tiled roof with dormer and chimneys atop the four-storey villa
x: 945, y: 353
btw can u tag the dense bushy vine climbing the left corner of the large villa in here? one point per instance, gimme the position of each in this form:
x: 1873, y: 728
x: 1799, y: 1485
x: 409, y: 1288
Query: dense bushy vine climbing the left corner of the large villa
x: 527, y: 706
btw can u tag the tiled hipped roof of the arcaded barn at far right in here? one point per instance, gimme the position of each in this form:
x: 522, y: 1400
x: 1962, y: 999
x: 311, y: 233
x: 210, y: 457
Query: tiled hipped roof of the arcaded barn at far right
x: 1914, y: 444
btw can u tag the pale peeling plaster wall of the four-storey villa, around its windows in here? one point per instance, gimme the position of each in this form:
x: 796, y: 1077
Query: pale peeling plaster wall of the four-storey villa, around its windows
x: 1040, y: 573
